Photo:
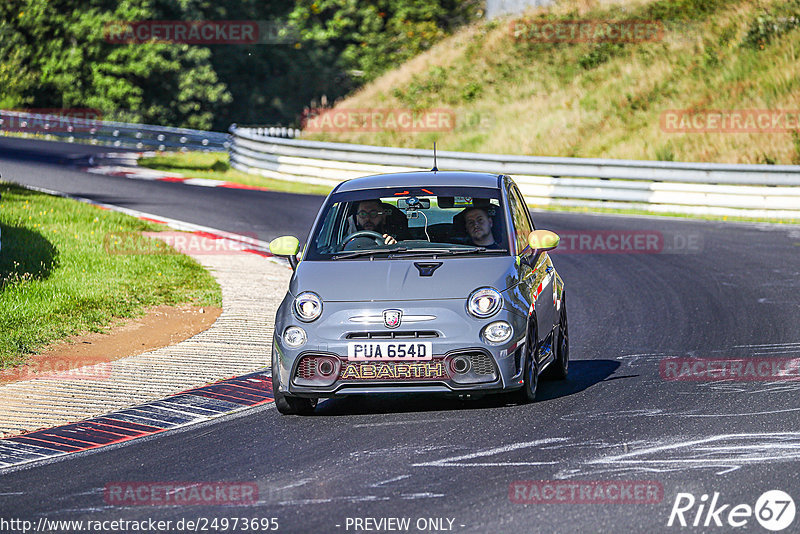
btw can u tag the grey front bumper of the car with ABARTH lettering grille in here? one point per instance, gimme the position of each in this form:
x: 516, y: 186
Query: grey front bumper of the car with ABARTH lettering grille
x: 462, y: 360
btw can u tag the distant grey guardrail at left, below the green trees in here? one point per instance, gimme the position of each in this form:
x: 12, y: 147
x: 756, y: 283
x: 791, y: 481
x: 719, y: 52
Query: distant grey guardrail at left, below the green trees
x: 64, y: 127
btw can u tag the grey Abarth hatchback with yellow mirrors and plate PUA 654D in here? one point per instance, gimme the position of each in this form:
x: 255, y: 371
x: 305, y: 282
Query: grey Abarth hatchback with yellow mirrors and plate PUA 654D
x: 421, y: 282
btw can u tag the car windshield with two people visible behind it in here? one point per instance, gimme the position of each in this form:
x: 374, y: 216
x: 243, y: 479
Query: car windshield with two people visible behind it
x: 409, y: 222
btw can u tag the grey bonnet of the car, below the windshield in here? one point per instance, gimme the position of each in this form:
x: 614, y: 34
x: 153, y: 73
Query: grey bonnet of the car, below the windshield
x: 402, y: 279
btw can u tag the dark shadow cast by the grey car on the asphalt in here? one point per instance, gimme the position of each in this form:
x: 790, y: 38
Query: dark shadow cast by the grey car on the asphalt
x: 582, y: 375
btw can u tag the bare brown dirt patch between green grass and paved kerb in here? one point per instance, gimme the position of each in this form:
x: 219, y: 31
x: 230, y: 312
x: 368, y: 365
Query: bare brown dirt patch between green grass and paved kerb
x: 160, y: 327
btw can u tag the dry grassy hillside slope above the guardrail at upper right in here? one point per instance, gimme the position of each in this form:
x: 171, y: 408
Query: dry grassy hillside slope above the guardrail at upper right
x: 515, y: 95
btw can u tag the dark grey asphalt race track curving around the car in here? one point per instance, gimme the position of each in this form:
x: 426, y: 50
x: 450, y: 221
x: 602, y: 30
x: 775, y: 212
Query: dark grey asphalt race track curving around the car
x: 616, y: 418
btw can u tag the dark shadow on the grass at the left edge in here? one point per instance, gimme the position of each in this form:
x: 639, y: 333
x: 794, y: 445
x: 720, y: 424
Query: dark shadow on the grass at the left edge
x: 25, y: 255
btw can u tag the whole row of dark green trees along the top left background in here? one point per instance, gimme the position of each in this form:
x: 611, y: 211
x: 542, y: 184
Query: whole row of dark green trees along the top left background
x: 56, y: 54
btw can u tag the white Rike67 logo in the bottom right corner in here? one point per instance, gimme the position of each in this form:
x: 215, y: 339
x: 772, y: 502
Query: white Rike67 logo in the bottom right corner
x: 774, y: 510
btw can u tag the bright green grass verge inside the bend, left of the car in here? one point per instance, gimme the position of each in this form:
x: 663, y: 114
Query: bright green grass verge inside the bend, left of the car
x: 57, y: 278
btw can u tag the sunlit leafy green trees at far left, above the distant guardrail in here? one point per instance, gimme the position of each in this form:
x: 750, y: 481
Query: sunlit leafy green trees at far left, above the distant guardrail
x: 67, y: 61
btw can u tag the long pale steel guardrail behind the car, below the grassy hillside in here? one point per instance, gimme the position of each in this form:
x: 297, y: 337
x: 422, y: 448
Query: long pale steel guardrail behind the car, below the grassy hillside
x: 770, y: 191
